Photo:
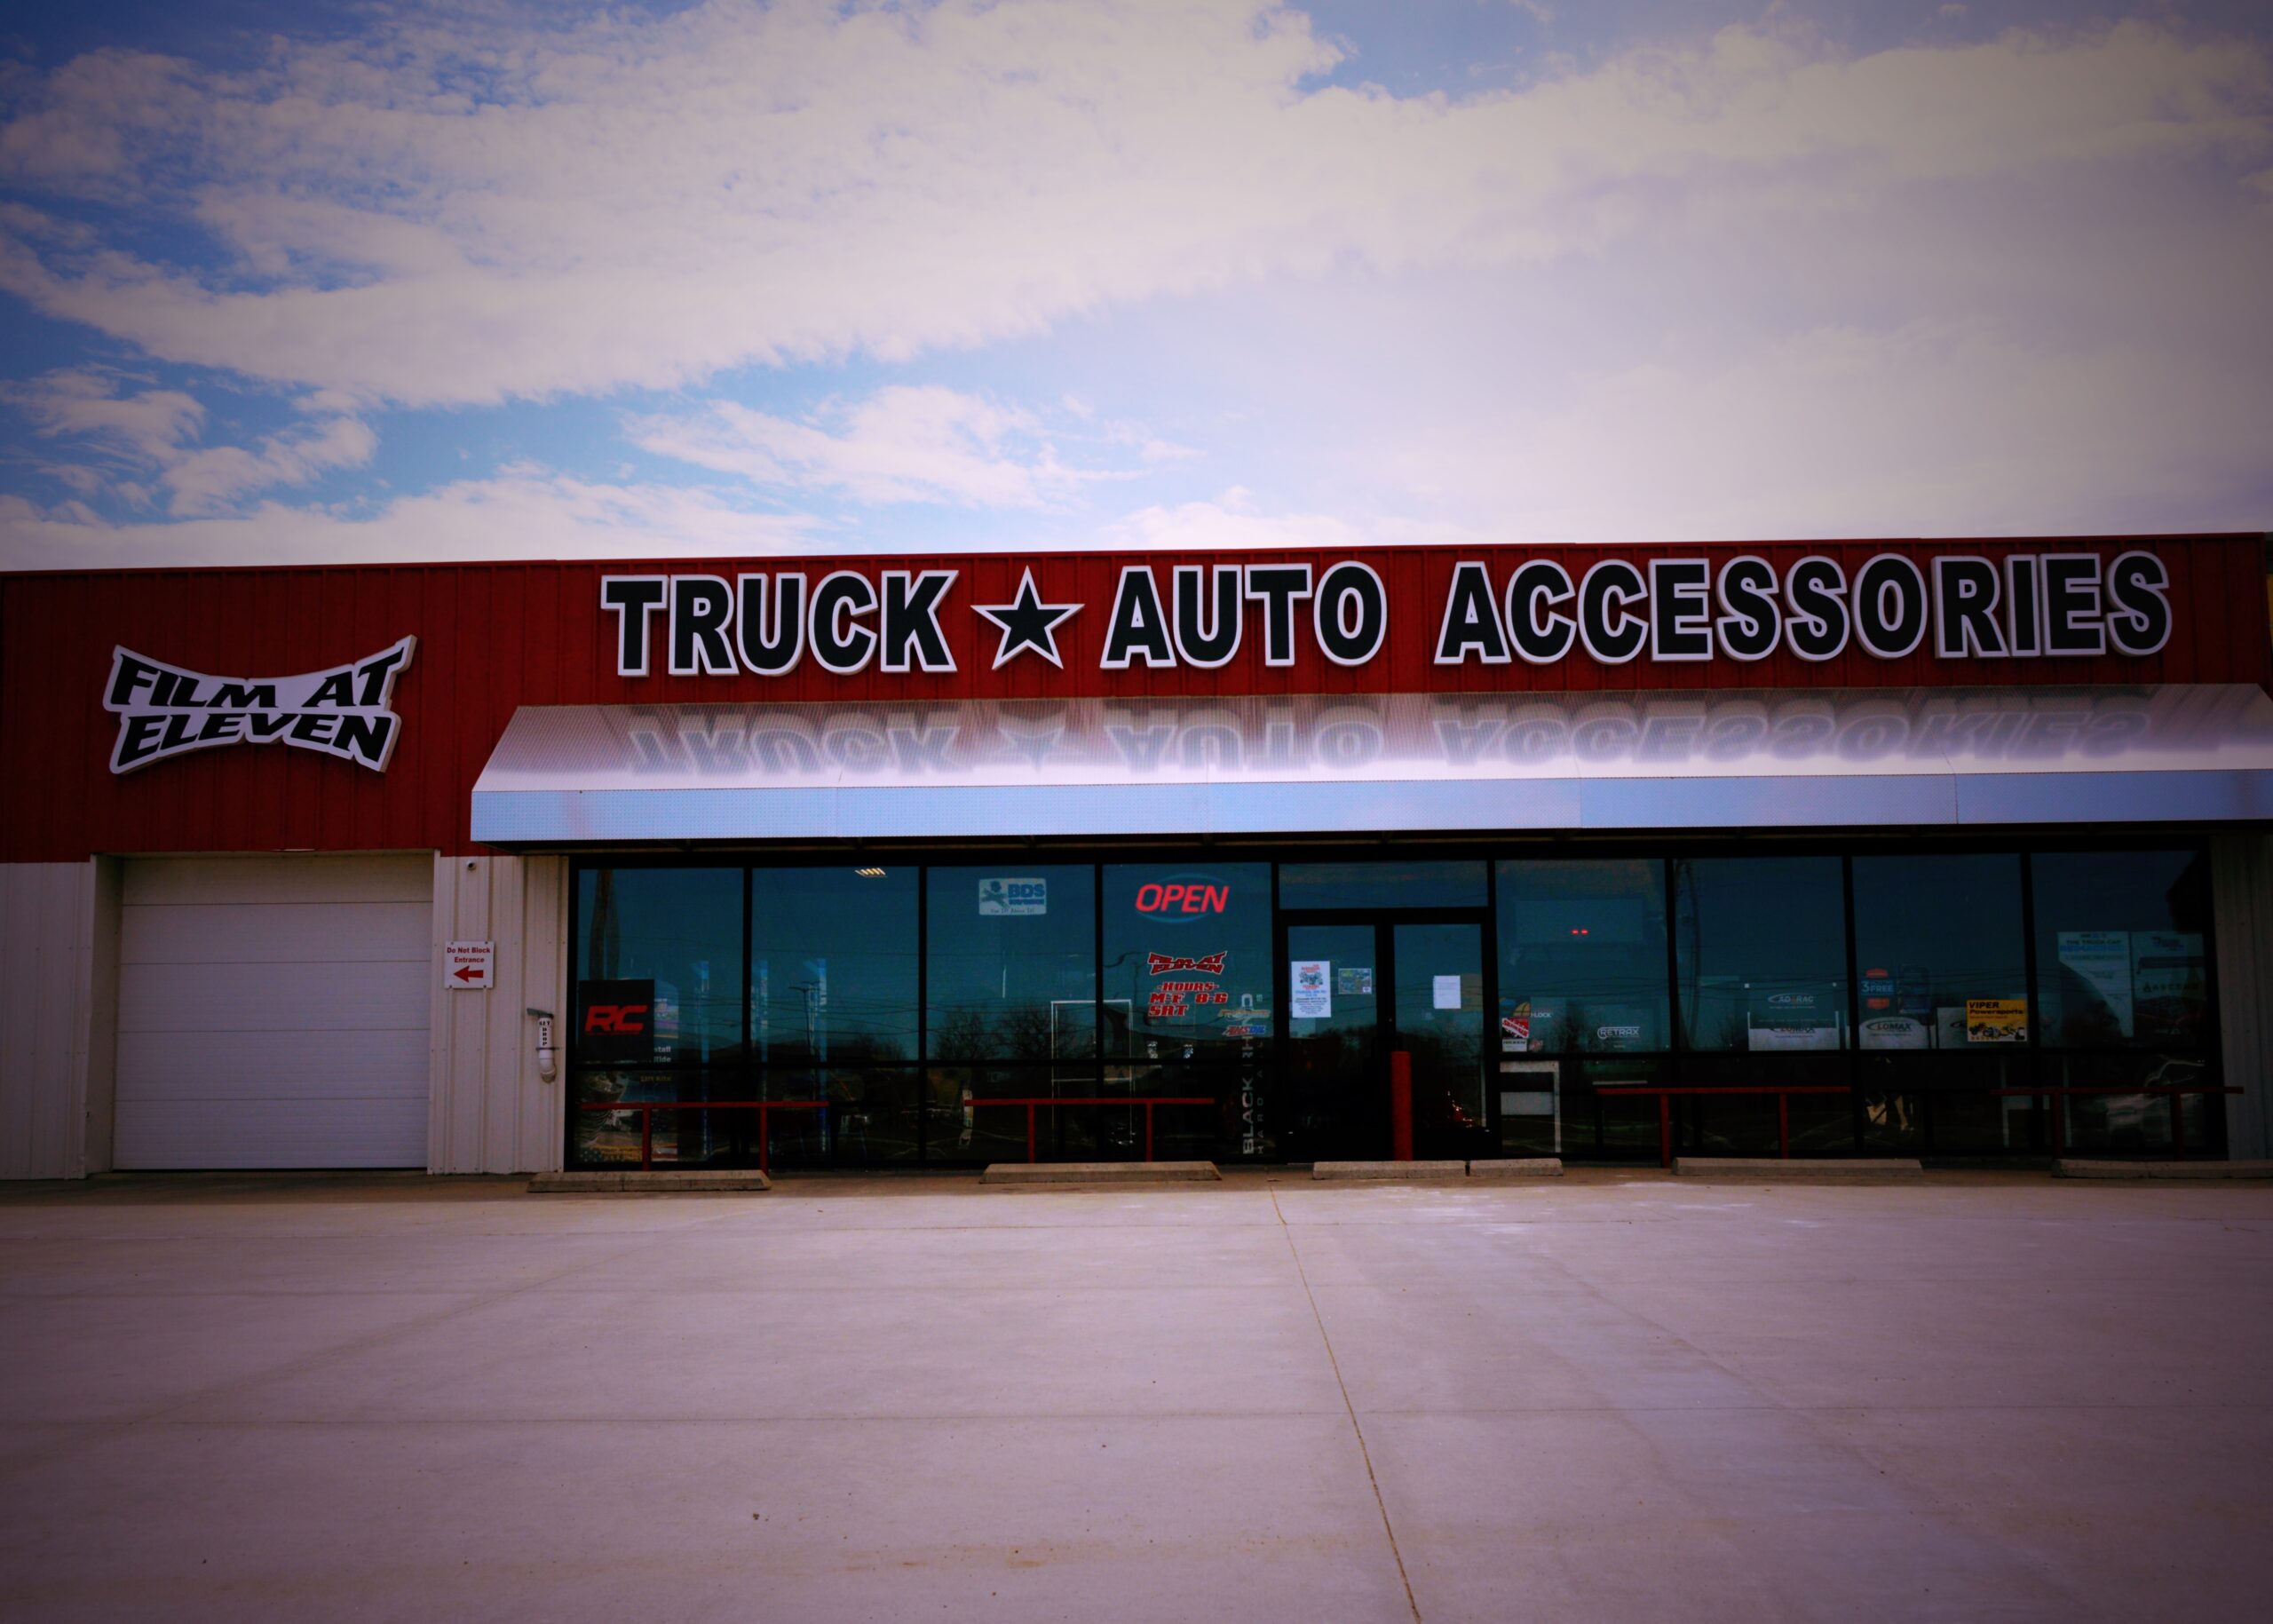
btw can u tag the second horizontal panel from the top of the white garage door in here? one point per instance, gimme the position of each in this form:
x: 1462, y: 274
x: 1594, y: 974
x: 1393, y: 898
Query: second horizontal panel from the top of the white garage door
x: 276, y: 934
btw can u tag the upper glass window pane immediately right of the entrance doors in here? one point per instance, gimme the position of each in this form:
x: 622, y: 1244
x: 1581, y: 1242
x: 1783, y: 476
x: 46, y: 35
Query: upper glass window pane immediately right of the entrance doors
x: 1583, y: 956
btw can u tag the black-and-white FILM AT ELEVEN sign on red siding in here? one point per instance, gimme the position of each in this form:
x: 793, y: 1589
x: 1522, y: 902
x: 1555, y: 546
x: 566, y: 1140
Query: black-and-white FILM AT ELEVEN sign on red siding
x: 169, y: 711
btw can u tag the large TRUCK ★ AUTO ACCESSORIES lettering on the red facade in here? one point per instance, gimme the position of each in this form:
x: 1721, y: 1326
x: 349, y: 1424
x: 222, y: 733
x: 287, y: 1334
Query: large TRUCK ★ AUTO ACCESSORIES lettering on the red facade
x: 1208, y: 615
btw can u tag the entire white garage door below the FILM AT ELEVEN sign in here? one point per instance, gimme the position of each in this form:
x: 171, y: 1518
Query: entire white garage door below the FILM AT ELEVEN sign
x: 274, y: 1011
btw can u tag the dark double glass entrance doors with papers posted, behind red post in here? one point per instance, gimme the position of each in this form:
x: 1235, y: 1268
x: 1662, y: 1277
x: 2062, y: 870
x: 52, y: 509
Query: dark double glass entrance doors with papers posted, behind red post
x: 1360, y: 991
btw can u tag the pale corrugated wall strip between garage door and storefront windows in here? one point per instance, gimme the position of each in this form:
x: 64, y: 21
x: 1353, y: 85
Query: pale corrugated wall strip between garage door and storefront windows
x: 490, y: 1111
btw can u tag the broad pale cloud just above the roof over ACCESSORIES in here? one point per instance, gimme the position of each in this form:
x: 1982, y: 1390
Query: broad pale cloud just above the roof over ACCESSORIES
x: 1926, y: 429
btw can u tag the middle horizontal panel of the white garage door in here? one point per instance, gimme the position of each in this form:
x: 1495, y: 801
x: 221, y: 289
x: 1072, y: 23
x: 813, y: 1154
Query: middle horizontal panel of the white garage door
x: 274, y: 997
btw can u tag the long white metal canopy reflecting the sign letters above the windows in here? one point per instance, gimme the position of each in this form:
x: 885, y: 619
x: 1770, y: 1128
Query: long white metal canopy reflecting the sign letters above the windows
x: 1379, y: 763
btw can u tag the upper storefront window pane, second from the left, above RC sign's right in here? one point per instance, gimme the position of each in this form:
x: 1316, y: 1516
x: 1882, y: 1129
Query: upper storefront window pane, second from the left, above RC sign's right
x: 833, y: 966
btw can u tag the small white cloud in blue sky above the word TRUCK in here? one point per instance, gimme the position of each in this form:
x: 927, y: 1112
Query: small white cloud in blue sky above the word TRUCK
x: 901, y: 445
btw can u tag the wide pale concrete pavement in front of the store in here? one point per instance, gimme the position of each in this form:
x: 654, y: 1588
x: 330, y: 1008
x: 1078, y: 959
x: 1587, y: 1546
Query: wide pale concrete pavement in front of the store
x: 1597, y: 1398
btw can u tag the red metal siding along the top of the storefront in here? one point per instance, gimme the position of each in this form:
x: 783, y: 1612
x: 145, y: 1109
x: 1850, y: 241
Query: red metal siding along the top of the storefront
x: 503, y: 636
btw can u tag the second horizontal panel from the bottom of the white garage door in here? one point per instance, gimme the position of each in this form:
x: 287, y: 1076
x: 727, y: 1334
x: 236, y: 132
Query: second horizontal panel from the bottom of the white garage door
x: 272, y: 1066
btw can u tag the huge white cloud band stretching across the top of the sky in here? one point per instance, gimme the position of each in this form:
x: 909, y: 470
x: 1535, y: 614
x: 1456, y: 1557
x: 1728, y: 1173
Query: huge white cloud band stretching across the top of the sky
x: 649, y: 199
